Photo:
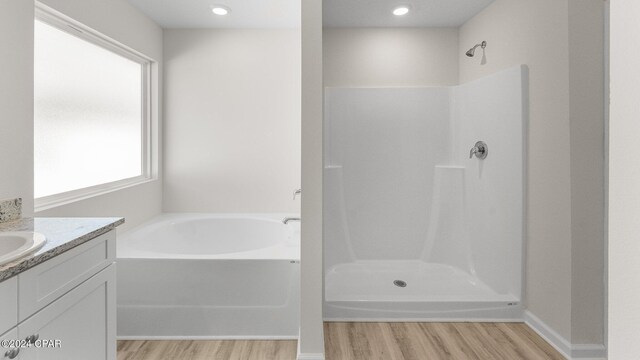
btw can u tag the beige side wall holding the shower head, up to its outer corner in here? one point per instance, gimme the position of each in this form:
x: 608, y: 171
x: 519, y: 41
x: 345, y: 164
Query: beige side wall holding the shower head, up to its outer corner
x: 535, y: 33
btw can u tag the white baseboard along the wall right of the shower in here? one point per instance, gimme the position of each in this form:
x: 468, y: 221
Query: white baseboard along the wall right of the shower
x: 564, y: 347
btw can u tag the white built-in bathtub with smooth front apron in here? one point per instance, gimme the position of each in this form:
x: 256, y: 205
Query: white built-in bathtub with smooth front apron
x: 209, y: 276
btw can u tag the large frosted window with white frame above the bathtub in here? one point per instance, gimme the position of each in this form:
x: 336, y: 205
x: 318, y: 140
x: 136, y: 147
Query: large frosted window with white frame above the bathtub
x: 91, y: 114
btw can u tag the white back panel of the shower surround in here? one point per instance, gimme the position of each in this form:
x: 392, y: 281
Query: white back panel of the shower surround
x: 384, y: 146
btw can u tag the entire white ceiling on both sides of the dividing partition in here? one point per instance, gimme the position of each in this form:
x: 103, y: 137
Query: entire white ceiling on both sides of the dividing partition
x: 286, y: 13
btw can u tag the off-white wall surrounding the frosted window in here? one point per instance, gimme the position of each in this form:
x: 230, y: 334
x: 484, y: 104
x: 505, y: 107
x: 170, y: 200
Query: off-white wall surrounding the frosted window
x: 122, y: 22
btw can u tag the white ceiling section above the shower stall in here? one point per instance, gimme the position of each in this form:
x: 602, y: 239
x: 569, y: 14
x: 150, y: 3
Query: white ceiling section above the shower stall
x: 377, y: 13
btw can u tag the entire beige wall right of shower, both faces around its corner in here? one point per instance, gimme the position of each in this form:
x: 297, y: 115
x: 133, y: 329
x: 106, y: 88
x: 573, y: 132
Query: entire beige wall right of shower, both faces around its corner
x: 565, y: 188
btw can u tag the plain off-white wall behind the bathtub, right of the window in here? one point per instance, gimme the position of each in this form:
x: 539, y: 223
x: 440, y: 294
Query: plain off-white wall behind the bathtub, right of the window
x: 232, y: 102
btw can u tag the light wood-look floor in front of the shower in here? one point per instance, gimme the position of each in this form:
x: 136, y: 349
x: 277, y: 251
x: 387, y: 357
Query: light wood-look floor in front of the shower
x: 435, y: 341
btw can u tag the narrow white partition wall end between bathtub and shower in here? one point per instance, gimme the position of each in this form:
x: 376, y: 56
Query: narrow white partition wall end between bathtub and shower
x: 311, y: 340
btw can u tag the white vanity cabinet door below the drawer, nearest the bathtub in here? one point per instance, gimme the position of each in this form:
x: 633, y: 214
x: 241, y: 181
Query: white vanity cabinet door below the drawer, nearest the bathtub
x: 78, y: 326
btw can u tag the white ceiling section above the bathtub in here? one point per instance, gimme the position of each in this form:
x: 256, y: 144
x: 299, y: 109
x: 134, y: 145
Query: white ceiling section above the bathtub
x: 190, y: 14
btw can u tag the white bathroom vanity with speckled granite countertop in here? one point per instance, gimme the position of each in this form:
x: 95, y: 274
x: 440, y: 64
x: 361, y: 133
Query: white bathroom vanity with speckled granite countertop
x: 59, y: 302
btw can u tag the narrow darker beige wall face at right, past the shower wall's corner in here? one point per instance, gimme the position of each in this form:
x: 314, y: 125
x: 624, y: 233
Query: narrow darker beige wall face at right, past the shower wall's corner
x: 587, y: 98
